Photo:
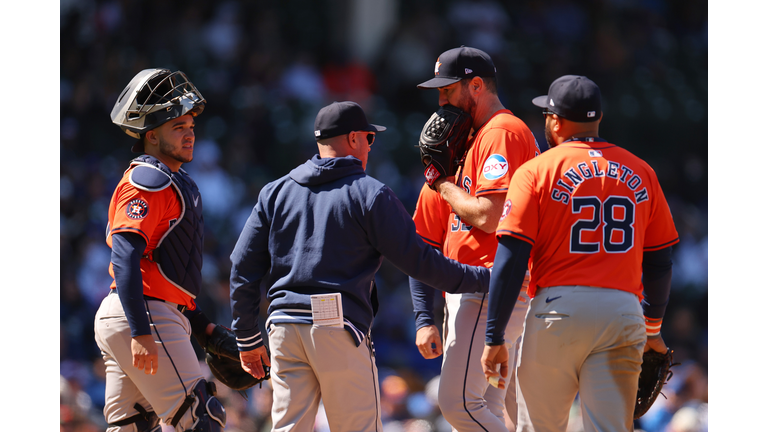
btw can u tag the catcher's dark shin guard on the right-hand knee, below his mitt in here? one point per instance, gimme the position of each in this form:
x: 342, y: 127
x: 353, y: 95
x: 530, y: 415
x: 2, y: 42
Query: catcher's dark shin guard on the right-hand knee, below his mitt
x: 208, y: 413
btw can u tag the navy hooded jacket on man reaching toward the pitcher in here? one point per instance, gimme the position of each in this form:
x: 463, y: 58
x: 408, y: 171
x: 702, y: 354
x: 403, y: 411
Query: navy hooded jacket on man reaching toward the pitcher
x: 325, y: 228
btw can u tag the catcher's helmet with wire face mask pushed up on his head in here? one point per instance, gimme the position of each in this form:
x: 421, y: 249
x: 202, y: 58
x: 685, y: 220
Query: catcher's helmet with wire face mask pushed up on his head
x: 153, y: 97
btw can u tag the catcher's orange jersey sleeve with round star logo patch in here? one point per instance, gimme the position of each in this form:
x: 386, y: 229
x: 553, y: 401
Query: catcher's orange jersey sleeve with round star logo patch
x: 139, y: 211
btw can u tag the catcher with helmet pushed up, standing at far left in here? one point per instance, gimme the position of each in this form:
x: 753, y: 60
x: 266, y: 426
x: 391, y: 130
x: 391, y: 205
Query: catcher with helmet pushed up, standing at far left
x: 155, y: 231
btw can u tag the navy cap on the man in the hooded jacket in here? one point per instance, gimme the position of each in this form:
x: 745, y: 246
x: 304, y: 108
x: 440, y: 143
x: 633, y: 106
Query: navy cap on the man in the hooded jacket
x: 340, y: 118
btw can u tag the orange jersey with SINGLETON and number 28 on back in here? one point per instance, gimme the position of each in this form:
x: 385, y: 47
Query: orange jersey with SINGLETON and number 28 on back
x: 590, y: 210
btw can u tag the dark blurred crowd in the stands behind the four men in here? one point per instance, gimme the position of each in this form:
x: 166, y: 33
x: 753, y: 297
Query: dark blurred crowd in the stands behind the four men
x: 266, y: 68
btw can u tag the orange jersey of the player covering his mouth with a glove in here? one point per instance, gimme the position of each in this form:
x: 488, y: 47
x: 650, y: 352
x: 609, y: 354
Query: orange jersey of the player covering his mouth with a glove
x: 498, y: 148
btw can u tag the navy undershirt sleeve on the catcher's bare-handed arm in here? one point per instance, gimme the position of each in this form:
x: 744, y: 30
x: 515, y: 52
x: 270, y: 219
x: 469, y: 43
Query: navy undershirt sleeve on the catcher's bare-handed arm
x: 126, y: 257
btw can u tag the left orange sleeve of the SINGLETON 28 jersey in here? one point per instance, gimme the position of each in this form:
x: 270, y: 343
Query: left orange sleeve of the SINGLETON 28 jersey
x: 520, y: 216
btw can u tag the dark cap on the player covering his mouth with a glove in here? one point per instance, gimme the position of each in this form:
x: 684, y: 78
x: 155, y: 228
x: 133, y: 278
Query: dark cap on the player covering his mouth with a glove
x: 459, y: 63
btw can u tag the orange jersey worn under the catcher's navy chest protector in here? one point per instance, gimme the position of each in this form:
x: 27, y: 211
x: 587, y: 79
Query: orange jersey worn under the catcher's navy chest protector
x: 149, y: 214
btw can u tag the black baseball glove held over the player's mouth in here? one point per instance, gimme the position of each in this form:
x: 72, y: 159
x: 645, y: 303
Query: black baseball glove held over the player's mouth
x: 443, y: 142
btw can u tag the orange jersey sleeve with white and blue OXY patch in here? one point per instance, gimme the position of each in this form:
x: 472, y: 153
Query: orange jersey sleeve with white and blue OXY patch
x: 503, y: 152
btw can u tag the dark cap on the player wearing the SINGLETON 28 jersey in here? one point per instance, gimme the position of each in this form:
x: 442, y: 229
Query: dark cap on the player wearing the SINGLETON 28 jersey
x: 573, y: 97
